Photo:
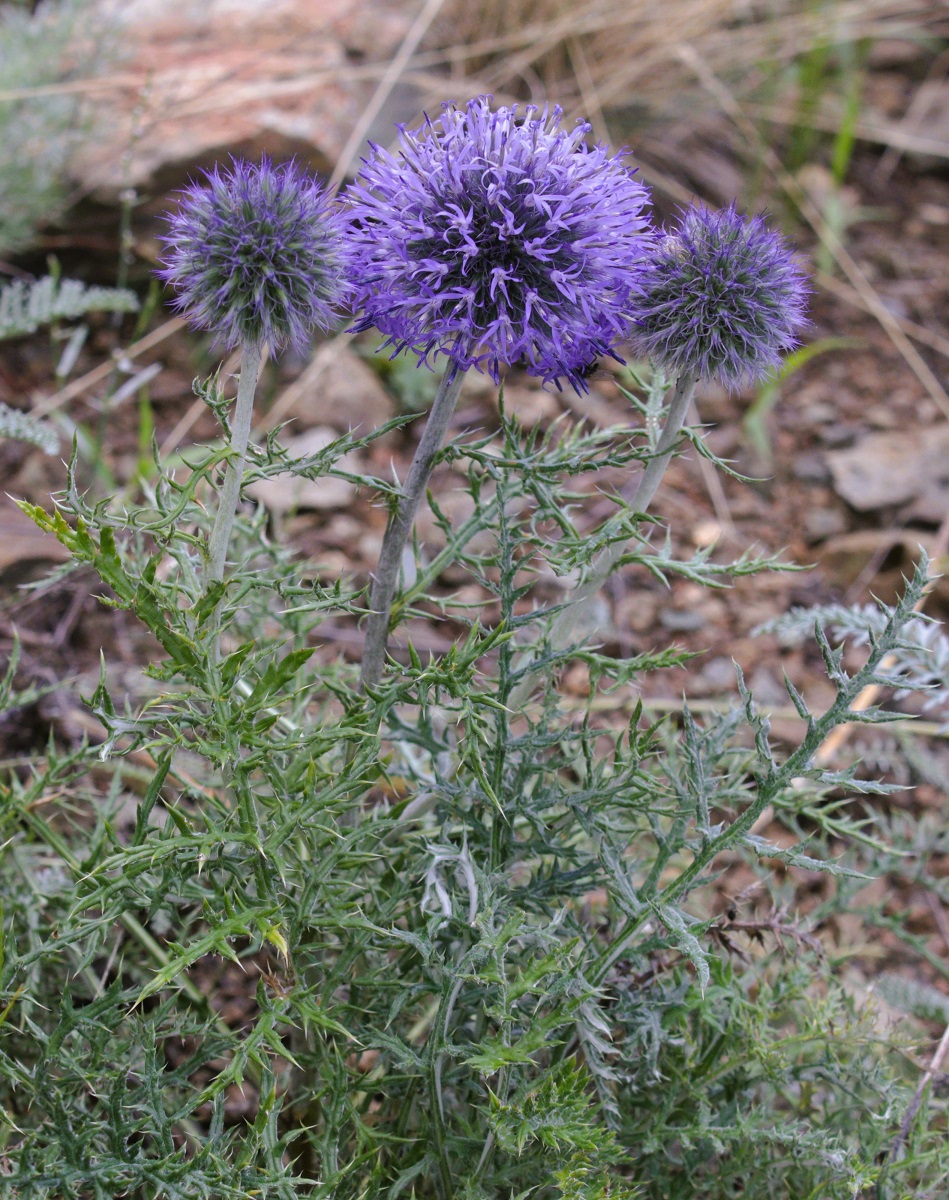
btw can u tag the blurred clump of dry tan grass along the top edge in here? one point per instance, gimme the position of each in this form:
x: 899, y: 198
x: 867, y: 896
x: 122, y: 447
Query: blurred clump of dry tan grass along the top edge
x: 632, y: 49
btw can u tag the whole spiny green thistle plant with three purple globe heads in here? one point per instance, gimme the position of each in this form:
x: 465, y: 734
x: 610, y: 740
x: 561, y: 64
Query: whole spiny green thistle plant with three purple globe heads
x: 451, y: 934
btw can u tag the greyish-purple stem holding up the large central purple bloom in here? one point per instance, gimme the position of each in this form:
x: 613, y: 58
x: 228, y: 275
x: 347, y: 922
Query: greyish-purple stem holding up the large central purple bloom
x: 400, y: 526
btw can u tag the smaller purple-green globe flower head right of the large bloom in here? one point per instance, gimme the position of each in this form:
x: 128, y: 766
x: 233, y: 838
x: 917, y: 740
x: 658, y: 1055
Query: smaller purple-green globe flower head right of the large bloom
x: 722, y: 297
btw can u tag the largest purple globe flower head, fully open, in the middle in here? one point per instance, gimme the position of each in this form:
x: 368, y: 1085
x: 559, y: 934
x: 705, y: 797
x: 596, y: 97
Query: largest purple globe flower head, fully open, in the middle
x: 492, y: 238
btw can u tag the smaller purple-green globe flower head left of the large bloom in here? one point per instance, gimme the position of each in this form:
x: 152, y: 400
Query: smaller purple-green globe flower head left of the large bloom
x: 257, y: 255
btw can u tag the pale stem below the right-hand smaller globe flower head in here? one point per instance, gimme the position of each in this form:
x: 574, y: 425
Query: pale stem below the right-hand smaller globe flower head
x: 603, y: 567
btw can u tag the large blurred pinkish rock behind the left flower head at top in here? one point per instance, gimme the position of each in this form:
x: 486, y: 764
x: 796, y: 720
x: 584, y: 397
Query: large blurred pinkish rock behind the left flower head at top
x: 203, y: 79
